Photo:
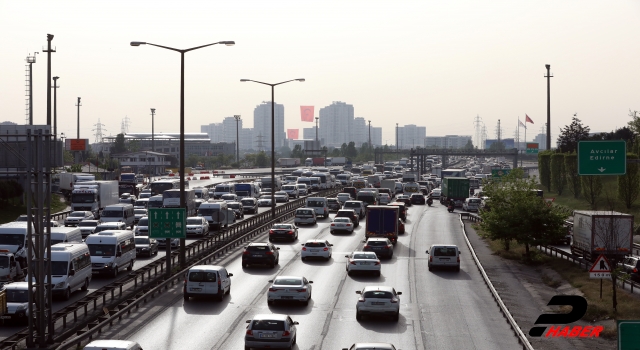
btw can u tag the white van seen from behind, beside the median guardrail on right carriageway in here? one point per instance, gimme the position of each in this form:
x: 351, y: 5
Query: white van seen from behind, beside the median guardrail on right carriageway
x: 207, y: 280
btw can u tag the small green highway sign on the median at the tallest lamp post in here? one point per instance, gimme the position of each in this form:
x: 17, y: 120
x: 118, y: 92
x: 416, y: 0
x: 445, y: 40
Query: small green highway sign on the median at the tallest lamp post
x: 167, y: 223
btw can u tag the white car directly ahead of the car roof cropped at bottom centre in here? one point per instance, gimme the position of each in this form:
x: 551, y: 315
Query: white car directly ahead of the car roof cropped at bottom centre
x: 378, y: 300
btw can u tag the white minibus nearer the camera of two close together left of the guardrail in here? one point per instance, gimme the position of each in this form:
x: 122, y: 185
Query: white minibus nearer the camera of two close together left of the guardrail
x: 70, y: 268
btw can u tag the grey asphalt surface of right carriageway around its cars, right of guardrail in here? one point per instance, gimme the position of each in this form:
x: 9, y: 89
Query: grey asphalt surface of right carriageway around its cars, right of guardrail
x: 440, y: 309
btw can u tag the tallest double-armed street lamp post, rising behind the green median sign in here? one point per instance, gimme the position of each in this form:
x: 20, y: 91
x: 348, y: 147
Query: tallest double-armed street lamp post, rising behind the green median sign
x: 182, y: 183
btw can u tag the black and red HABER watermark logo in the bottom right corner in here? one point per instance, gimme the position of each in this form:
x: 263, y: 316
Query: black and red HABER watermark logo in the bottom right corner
x: 579, y: 308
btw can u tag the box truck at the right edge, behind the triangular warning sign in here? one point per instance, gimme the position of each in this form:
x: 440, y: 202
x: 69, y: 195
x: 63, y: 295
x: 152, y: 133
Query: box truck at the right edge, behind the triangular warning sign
x: 601, y: 232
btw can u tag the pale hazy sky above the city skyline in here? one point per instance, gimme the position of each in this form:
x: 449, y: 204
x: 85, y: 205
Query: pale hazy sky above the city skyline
x: 433, y: 63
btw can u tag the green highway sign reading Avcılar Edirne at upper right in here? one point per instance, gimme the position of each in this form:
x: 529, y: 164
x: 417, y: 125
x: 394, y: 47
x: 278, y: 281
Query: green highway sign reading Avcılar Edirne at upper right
x: 602, y: 157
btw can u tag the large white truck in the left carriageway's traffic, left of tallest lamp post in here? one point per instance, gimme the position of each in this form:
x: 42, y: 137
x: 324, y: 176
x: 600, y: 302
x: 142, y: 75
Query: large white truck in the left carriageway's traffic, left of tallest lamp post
x: 94, y: 196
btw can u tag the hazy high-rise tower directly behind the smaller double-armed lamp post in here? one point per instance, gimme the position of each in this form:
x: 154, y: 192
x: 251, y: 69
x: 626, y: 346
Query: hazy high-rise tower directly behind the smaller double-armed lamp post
x: 262, y: 124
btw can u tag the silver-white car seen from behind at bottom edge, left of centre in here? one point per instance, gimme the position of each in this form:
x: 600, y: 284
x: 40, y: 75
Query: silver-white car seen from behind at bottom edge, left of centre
x: 270, y: 331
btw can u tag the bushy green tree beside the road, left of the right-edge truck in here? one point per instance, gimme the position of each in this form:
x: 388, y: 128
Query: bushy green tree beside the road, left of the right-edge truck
x: 518, y: 213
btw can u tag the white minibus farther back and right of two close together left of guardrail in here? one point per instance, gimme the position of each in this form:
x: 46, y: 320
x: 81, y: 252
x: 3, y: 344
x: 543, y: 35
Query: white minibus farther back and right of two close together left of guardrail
x: 112, y: 251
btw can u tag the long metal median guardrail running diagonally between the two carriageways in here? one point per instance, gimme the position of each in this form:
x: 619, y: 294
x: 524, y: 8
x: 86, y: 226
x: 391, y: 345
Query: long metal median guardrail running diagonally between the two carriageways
x: 81, y: 316
